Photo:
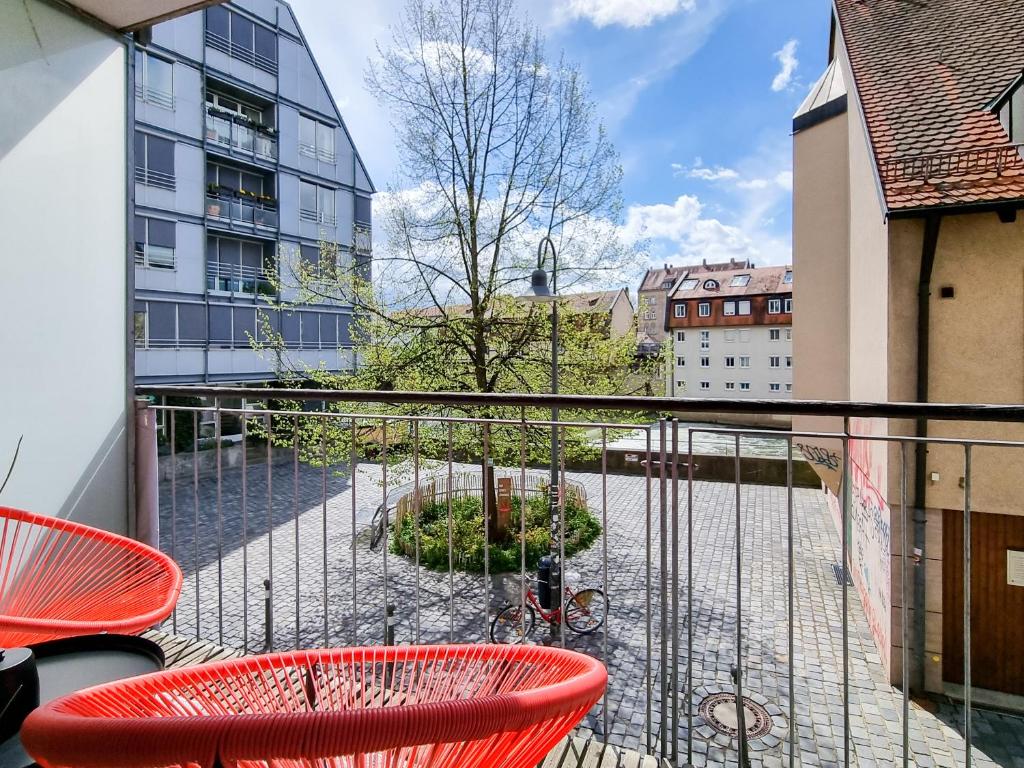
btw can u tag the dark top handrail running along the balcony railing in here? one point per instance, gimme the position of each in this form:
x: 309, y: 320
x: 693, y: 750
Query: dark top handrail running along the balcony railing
x: 936, y: 411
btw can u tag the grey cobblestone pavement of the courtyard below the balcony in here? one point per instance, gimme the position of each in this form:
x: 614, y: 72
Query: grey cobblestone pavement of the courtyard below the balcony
x: 322, y: 564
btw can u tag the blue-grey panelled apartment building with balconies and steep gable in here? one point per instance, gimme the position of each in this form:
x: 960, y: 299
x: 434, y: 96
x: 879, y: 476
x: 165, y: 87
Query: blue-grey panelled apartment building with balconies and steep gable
x: 242, y: 166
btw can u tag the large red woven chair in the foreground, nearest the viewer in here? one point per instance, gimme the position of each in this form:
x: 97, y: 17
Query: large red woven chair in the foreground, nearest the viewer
x: 471, y: 706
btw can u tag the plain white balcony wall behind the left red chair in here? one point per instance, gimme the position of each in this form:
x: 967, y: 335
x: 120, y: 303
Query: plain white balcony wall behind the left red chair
x: 65, y: 383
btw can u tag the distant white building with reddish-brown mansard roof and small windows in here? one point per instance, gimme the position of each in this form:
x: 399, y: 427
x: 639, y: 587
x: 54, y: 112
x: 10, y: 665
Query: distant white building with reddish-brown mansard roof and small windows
x: 733, y: 334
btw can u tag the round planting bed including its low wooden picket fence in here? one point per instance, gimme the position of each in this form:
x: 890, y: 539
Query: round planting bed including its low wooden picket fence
x: 467, y: 528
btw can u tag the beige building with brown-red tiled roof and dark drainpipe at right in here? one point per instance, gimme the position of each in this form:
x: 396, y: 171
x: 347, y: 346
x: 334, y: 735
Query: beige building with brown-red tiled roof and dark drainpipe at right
x: 909, y: 180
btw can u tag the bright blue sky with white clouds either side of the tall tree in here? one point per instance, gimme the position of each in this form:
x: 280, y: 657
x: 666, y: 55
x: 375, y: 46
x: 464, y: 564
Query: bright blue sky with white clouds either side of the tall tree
x: 698, y: 97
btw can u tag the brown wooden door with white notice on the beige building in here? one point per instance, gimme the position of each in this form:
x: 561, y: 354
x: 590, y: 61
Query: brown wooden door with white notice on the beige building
x: 997, y: 609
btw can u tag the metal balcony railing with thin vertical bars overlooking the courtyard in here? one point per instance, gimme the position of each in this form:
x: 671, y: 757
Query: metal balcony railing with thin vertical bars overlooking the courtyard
x: 716, y: 549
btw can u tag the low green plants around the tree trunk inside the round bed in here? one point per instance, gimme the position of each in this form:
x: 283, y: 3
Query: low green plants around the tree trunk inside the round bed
x: 582, y: 530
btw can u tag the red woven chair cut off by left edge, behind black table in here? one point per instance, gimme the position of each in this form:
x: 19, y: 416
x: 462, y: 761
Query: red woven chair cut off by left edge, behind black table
x: 61, y: 579
